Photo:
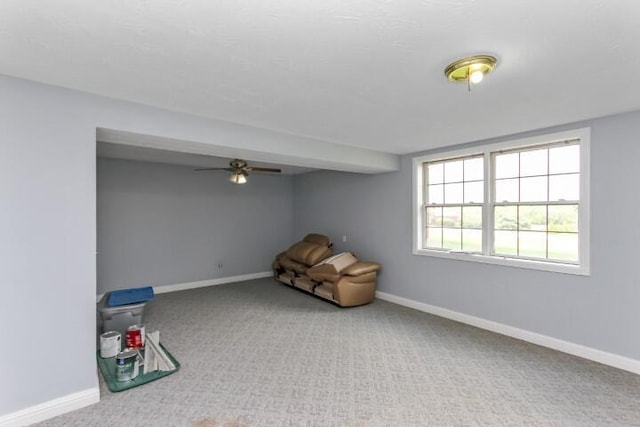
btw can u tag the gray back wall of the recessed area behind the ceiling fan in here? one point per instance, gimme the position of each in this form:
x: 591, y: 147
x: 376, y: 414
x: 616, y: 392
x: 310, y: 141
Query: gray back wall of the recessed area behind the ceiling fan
x: 163, y: 224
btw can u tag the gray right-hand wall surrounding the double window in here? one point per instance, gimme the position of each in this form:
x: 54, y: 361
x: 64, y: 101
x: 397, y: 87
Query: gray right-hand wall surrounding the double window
x: 601, y: 311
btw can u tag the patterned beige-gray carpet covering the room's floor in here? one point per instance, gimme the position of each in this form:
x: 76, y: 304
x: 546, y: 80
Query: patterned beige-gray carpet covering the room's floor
x: 260, y: 354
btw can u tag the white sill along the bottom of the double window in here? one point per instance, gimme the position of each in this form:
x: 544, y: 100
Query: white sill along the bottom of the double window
x: 555, y: 267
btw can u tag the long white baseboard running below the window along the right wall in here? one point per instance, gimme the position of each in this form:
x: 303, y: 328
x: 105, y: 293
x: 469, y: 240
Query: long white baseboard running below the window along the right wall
x: 610, y: 359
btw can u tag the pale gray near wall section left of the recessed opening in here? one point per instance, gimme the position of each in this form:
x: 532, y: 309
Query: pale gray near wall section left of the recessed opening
x: 47, y: 246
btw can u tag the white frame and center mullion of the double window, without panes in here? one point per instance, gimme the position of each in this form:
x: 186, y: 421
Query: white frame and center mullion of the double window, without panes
x: 583, y: 268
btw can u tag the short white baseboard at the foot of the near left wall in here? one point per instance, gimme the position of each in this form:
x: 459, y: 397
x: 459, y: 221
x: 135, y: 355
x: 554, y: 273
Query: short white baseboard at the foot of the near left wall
x: 52, y: 408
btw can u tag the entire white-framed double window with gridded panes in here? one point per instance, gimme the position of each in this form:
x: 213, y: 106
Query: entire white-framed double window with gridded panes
x: 520, y: 203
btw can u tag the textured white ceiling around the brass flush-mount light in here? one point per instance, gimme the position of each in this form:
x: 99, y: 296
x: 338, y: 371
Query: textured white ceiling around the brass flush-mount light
x: 363, y: 73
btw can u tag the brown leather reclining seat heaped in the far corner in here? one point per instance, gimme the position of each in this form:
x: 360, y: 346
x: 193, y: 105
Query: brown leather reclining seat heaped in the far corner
x: 341, y: 278
